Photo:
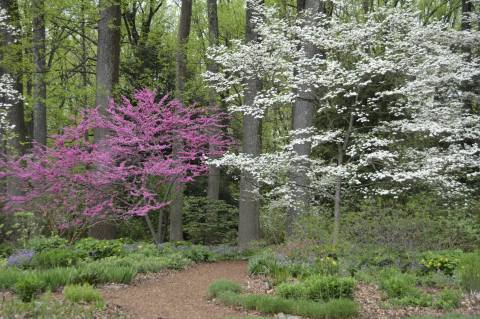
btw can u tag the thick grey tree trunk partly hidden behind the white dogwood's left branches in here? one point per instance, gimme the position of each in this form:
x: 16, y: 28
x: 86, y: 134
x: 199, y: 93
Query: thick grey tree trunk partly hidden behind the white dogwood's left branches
x: 302, y: 118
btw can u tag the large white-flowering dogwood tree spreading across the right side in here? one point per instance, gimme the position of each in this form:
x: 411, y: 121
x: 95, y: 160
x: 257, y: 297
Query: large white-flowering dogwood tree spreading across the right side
x: 393, y: 113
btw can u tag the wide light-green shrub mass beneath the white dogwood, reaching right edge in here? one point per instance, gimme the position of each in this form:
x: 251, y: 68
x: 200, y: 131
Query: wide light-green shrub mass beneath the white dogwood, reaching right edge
x: 421, y: 223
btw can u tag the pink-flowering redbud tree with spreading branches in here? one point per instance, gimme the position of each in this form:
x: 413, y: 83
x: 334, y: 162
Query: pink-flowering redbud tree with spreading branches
x: 130, y: 173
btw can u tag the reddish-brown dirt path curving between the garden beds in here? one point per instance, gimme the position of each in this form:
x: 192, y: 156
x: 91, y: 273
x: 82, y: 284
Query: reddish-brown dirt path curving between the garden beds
x: 178, y: 295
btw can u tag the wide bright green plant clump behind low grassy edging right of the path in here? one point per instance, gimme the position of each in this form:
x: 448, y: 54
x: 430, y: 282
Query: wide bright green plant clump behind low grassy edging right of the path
x: 319, y: 288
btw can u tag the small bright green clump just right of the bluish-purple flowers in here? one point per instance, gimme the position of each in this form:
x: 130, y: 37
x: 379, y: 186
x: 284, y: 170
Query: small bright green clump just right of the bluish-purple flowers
x: 55, y: 257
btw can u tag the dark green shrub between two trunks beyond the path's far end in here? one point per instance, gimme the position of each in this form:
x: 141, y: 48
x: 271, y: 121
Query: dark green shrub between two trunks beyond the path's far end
x: 209, y: 222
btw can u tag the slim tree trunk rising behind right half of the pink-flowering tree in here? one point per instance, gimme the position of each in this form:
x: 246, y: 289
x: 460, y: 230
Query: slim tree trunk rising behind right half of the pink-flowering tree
x: 176, y: 209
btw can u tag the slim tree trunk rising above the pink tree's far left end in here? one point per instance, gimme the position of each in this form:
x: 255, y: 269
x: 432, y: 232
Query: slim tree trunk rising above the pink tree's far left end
x: 39, y: 84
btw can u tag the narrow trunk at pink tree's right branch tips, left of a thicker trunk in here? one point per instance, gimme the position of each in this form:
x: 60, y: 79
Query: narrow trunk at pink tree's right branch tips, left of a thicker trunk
x: 213, y: 189
